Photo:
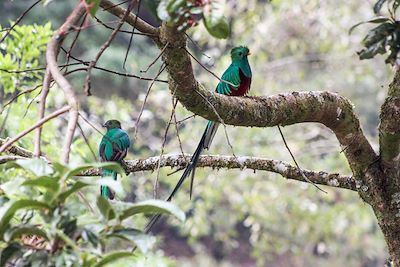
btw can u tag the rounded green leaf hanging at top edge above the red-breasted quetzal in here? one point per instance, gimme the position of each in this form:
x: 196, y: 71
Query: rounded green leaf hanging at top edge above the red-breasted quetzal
x: 214, y: 20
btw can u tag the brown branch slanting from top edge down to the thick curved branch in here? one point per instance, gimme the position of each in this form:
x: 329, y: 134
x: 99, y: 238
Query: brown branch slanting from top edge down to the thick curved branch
x: 136, y: 22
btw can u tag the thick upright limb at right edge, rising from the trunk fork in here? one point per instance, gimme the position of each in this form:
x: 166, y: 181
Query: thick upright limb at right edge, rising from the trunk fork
x: 389, y: 128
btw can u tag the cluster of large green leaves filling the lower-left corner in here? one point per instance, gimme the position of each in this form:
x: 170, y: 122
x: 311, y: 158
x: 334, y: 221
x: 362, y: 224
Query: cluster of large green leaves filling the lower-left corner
x: 42, y: 222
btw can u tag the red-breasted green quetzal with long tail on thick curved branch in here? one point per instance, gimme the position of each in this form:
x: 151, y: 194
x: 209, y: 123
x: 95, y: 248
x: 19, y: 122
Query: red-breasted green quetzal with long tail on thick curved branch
x: 235, y: 81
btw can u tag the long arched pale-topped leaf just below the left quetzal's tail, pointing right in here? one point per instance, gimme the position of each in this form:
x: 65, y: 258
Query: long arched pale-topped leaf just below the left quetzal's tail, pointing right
x: 153, y: 206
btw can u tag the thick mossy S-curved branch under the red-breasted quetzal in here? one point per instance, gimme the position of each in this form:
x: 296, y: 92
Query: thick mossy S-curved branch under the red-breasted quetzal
x: 330, y: 109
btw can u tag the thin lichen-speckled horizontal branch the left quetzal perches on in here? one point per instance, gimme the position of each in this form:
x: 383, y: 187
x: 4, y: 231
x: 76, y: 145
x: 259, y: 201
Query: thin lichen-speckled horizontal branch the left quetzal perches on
x: 230, y: 162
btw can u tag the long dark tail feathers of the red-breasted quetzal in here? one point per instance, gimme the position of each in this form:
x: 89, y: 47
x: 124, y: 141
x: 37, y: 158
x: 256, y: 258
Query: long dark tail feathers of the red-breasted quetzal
x: 204, y: 143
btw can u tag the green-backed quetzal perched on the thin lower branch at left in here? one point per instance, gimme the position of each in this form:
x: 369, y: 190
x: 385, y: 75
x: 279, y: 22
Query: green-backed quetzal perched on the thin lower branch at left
x: 113, y: 147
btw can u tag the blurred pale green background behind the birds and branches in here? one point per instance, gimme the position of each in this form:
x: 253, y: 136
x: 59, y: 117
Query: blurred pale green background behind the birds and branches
x: 237, y: 217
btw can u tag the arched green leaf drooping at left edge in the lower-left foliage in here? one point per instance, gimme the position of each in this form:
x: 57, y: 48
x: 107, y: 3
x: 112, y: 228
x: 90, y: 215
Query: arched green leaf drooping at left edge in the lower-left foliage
x: 10, y: 210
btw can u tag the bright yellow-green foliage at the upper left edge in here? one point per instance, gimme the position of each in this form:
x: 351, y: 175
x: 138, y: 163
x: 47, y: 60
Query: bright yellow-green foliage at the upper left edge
x: 21, y: 51
